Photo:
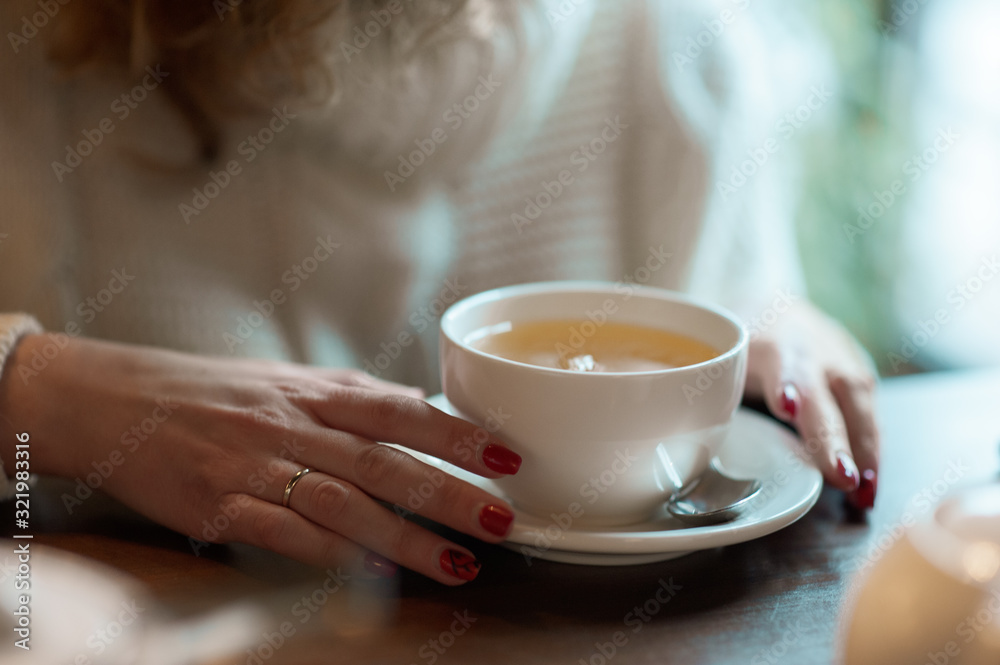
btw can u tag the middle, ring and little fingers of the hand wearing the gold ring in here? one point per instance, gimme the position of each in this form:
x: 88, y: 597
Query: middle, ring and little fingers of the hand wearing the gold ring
x: 337, y: 520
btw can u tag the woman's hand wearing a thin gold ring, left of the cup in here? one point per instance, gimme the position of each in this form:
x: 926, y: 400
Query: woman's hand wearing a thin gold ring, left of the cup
x: 206, y: 446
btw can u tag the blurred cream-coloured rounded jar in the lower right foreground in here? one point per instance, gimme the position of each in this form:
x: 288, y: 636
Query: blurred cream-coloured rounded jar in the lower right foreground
x: 934, y: 598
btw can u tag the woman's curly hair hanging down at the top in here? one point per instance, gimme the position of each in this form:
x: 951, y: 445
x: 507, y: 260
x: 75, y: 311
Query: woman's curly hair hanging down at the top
x: 229, y: 57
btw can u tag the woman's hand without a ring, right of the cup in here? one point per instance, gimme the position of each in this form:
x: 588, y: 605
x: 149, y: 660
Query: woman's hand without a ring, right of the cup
x: 812, y: 373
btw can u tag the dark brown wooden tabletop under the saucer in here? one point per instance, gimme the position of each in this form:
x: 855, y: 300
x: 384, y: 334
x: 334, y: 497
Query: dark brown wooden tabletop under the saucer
x: 774, y: 600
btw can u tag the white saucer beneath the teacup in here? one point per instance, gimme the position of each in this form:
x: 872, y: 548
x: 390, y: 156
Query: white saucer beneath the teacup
x: 756, y: 447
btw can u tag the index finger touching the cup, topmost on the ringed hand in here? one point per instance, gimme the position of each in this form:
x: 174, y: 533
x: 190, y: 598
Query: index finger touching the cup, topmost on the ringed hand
x: 415, y: 424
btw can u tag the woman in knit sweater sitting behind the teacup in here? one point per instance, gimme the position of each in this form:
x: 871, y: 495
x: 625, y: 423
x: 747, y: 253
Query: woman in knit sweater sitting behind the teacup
x: 221, y: 206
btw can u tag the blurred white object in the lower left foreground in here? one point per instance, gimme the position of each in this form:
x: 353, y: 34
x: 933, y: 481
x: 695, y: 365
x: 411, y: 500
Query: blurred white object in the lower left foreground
x: 74, y: 610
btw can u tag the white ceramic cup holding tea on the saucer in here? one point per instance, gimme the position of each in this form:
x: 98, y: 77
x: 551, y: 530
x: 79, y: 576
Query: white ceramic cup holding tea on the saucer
x: 602, y: 448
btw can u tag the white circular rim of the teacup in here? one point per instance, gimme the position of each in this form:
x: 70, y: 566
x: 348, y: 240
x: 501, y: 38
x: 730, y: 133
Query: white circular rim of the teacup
x: 587, y: 286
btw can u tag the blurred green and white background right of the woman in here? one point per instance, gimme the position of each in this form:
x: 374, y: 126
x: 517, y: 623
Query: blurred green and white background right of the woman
x: 899, y: 224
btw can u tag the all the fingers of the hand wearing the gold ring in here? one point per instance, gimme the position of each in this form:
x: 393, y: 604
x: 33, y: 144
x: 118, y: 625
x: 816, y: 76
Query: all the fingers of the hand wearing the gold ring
x: 351, y: 472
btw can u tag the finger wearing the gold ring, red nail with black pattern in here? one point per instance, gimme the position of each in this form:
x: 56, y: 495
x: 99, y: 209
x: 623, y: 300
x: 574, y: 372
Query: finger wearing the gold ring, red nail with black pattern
x: 344, y: 509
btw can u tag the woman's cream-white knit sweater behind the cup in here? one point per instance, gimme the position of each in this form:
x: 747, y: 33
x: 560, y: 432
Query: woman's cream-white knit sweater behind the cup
x: 308, y: 250
